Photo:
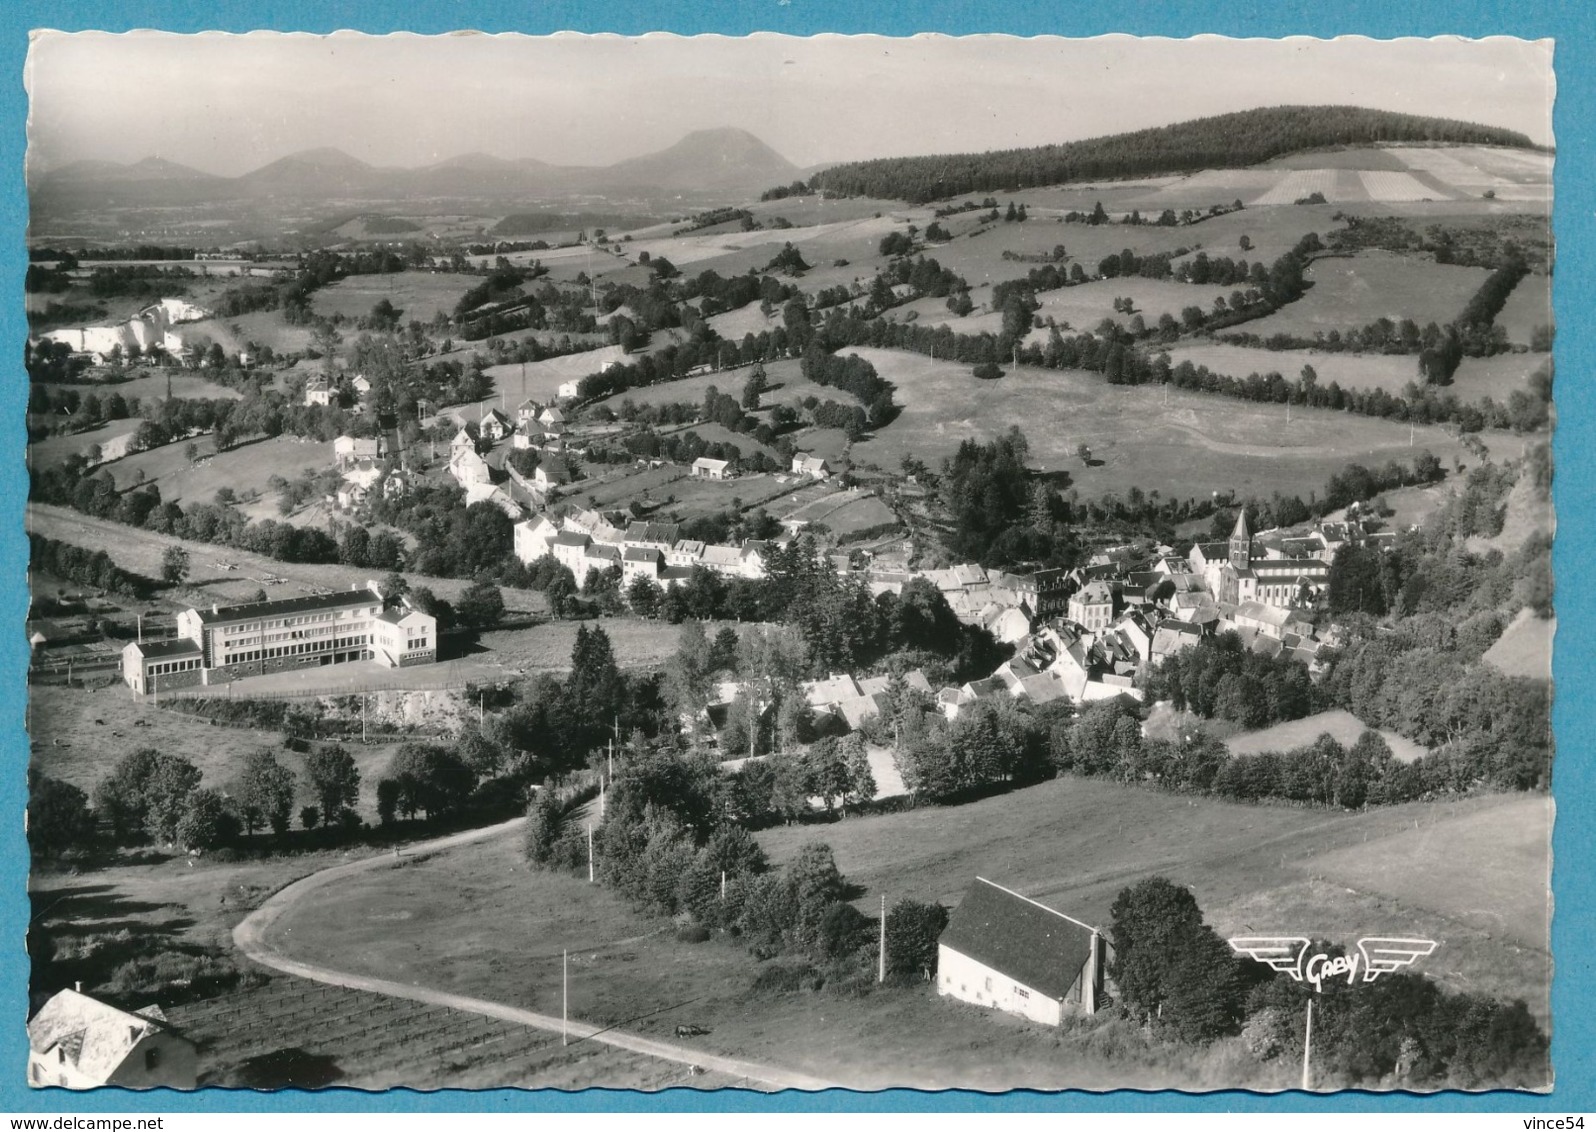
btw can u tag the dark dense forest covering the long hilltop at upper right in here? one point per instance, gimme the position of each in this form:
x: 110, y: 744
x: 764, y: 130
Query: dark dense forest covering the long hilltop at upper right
x: 1225, y: 141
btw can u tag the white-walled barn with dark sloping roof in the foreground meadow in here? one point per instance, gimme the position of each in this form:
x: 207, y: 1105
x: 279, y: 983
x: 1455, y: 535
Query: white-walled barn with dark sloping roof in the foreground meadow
x: 1013, y: 954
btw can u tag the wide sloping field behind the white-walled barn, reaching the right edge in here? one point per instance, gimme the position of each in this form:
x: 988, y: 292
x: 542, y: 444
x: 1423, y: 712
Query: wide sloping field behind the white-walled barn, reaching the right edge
x: 1075, y: 844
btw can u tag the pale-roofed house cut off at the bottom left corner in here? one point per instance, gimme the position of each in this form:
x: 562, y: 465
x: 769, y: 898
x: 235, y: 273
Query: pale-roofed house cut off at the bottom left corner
x: 82, y: 1043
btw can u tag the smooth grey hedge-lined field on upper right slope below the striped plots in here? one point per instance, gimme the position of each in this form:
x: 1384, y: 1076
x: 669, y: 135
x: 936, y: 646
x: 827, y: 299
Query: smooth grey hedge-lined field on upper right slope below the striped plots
x: 1354, y: 291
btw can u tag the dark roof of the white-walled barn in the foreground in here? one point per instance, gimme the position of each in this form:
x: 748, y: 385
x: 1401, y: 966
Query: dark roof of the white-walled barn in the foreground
x: 1022, y: 940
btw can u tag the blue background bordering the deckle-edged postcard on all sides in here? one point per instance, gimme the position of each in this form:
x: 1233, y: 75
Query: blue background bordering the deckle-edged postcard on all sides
x: 1576, y: 207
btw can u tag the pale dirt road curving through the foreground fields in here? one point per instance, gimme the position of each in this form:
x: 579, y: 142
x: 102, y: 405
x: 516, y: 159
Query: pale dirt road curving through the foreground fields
x: 250, y: 936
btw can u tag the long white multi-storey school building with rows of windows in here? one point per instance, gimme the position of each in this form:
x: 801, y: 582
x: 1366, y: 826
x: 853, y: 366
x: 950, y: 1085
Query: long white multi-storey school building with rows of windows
x: 229, y: 643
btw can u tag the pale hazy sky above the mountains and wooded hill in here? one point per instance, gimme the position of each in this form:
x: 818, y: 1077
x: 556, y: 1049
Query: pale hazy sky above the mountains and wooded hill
x: 229, y: 105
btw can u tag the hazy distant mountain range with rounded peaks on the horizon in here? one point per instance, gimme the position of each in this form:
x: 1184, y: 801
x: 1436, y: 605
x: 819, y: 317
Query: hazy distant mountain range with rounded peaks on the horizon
x: 716, y: 160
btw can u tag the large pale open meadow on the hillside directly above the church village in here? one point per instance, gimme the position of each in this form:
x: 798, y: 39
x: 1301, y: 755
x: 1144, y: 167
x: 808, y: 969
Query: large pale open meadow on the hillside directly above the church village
x: 1188, y: 448
